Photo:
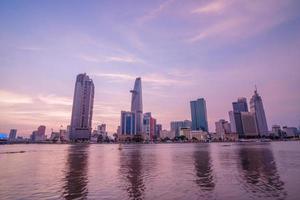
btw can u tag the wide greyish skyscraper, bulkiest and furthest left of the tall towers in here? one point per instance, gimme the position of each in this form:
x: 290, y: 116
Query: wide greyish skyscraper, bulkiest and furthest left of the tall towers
x: 82, y: 111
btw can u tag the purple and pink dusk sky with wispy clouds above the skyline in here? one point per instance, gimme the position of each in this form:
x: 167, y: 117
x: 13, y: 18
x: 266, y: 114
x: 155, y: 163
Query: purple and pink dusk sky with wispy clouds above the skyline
x: 183, y: 50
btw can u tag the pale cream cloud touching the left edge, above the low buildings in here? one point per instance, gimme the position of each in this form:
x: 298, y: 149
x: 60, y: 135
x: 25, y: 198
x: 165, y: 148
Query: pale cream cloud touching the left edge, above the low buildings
x: 7, y: 97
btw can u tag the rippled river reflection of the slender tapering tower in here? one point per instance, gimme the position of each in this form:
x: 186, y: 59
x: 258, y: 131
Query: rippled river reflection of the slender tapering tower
x: 131, y: 169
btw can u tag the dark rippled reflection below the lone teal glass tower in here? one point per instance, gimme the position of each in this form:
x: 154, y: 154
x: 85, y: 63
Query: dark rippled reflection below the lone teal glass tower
x: 203, y: 168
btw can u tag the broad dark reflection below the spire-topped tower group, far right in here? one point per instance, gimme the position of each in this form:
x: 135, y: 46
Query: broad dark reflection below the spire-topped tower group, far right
x: 259, y: 173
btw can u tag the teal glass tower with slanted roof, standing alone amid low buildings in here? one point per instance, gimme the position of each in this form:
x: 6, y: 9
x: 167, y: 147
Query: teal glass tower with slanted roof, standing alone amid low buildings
x: 199, y: 115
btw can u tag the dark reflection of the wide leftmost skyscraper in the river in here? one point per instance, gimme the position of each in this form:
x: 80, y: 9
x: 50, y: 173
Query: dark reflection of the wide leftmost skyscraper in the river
x: 76, y: 177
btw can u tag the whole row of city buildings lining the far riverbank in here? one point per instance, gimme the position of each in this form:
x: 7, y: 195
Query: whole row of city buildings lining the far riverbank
x: 135, y: 125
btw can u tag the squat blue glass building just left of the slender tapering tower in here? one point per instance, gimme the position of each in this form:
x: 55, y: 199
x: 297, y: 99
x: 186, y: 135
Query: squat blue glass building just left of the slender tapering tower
x: 128, y: 123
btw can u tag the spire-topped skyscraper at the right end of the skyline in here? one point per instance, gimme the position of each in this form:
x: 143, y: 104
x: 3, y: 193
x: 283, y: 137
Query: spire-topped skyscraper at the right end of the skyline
x: 256, y: 107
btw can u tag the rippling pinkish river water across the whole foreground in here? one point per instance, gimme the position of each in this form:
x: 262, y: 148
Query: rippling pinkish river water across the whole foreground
x: 151, y: 171
